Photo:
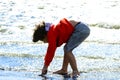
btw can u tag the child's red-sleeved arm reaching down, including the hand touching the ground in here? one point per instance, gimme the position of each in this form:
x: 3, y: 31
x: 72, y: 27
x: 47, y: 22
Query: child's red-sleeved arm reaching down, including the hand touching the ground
x: 50, y: 50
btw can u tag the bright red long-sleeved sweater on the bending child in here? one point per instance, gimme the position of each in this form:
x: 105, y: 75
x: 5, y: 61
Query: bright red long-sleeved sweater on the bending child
x: 57, y: 35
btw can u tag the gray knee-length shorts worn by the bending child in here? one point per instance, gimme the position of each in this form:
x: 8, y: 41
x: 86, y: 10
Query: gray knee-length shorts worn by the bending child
x: 80, y: 33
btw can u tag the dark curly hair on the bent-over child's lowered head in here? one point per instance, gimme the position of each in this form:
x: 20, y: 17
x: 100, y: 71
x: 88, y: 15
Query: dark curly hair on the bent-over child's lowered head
x: 39, y: 32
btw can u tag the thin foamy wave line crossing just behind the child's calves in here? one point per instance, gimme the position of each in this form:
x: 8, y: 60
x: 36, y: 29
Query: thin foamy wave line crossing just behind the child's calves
x: 27, y: 55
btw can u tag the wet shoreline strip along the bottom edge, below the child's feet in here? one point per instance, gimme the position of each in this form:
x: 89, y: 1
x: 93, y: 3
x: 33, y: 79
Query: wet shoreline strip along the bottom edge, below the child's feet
x: 26, y: 75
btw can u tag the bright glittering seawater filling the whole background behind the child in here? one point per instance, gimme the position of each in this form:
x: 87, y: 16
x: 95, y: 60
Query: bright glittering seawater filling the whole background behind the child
x: 99, y: 52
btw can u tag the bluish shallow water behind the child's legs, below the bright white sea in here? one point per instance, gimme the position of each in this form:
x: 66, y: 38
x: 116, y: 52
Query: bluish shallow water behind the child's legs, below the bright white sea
x: 90, y: 57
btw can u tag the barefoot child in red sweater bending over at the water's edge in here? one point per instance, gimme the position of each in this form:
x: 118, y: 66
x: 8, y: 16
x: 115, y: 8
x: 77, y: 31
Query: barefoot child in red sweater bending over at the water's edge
x: 70, y: 32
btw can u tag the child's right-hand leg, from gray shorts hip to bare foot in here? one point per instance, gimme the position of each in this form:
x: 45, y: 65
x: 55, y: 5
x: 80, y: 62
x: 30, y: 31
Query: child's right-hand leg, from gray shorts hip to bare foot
x: 80, y: 33
